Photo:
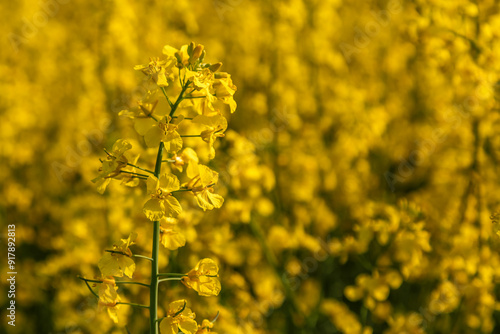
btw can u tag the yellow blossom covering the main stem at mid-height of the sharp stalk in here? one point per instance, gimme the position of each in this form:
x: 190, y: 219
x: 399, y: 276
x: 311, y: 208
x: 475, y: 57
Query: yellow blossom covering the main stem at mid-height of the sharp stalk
x: 162, y: 202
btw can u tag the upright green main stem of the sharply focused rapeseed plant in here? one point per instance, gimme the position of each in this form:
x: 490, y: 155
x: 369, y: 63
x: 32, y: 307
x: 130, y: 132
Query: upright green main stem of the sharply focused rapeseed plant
x: 153, y: 287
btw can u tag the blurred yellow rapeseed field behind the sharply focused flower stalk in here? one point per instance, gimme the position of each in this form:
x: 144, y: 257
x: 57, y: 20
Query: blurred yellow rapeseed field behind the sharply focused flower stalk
x: 360, y: 170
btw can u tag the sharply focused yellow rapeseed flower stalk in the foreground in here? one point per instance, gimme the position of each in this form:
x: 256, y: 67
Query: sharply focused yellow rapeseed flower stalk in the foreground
x: 199, y: 93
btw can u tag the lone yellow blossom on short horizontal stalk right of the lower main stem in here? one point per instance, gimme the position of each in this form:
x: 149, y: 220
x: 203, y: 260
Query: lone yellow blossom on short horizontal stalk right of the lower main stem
x: 204, y: 278
